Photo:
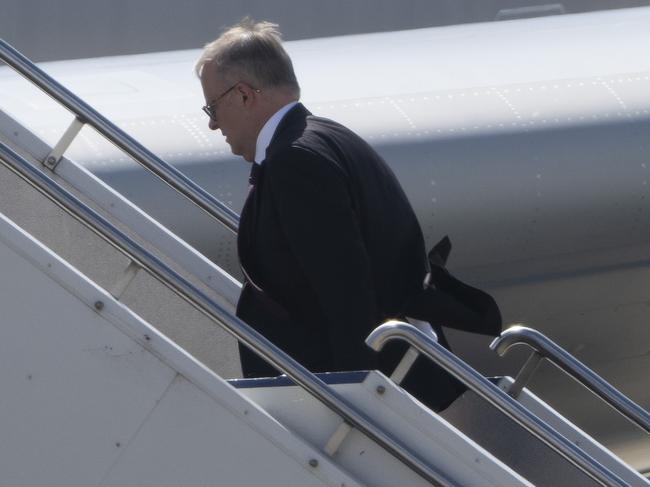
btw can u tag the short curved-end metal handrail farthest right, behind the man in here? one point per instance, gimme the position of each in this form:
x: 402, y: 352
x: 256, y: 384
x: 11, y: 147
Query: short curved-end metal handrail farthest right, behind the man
x: 521, y: 335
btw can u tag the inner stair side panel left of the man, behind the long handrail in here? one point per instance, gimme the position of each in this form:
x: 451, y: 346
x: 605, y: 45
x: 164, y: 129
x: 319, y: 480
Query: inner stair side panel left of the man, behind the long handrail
x: 95, y: 258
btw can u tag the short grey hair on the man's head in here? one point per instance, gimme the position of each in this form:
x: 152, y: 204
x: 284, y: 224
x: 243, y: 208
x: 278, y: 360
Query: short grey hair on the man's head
x: 252, y: 52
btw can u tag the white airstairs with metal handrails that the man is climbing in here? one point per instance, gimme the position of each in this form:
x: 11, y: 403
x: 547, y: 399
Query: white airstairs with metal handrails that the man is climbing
x: 108, y: 323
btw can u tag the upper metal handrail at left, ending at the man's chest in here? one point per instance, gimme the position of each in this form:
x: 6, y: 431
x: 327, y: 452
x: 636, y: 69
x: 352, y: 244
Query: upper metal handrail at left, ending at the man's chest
x: 86, y: 114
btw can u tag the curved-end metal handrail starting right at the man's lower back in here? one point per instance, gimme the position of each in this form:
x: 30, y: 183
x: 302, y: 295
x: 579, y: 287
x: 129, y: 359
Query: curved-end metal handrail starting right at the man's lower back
x: 396, y: 330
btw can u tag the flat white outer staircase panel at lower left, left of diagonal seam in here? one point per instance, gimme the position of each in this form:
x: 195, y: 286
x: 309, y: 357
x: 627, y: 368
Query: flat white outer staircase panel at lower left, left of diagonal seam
x: 72, y: 388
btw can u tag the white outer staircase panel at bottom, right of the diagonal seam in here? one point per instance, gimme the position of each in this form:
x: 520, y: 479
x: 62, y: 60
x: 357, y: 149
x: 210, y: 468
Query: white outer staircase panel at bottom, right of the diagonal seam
x: 242, y: 460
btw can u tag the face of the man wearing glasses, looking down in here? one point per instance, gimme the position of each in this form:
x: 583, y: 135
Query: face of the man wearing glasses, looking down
x: 231, y: 112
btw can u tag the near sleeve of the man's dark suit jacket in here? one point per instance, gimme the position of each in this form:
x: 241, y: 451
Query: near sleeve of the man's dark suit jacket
x: 315, y: 208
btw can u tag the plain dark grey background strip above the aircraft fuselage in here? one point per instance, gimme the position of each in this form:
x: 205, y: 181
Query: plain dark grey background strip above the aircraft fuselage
x: 68, y: 29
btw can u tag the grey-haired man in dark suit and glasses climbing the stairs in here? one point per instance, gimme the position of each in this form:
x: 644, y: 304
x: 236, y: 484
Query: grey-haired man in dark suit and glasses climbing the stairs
x: 328, y: 242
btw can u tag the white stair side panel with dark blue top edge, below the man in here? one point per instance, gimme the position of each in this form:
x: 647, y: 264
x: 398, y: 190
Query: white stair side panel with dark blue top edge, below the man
x: 440, y: 444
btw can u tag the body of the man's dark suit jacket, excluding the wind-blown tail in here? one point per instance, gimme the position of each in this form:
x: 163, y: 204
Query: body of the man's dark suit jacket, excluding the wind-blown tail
x: 330, y: 246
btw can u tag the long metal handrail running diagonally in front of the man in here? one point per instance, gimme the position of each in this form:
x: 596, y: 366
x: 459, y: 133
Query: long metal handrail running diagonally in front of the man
x: 243, y: 332
